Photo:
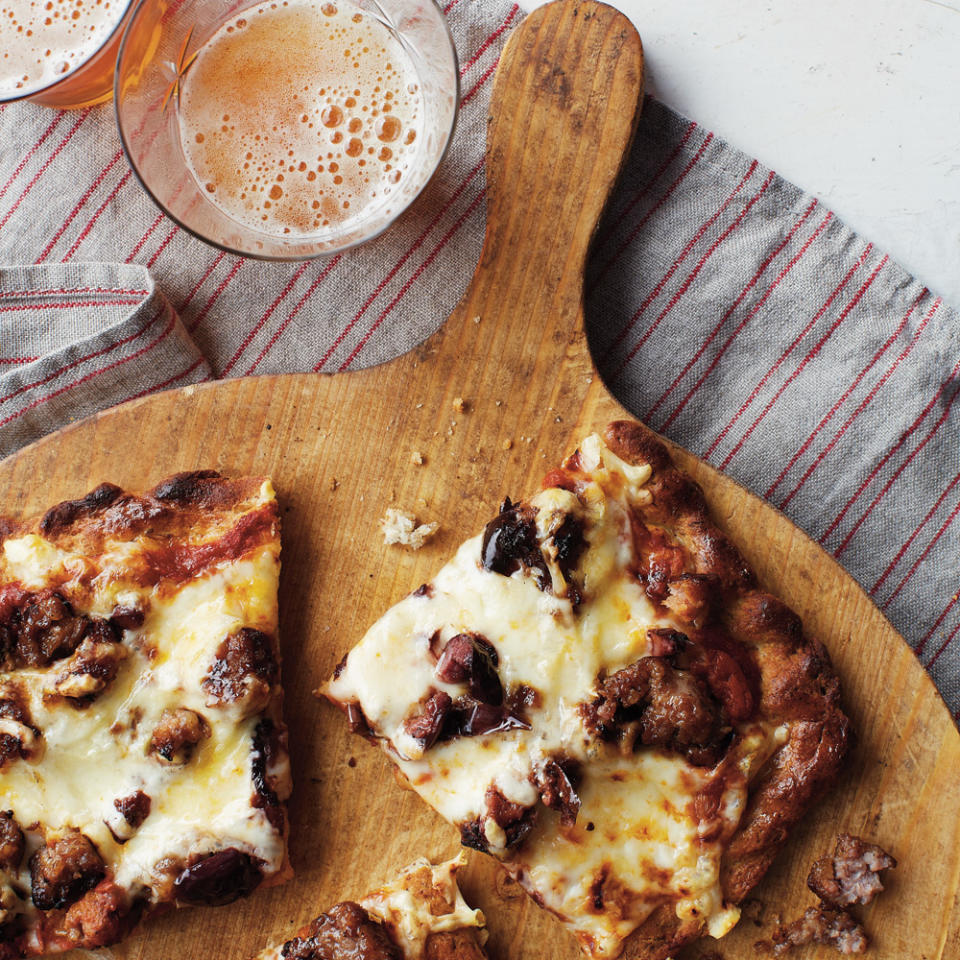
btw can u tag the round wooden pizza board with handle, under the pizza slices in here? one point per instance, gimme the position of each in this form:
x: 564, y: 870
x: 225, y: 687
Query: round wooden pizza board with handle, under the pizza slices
x: 340, y: 450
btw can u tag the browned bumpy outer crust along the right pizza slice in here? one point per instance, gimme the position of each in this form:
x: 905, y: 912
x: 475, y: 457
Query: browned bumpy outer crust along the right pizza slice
x: 799, y: 689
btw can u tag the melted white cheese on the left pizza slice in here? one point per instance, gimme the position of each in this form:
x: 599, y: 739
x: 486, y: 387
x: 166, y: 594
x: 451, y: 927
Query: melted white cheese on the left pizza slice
x: 98, y: 754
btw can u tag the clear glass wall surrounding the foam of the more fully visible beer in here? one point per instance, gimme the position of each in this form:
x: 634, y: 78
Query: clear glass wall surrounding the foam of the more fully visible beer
x: 160, y: 48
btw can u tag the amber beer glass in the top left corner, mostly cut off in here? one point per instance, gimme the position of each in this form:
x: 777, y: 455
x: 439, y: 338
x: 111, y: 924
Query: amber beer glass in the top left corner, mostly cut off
x: 60, y: 53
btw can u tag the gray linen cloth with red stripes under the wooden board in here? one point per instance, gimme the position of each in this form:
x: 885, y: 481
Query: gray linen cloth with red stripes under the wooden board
x: 726, y: 307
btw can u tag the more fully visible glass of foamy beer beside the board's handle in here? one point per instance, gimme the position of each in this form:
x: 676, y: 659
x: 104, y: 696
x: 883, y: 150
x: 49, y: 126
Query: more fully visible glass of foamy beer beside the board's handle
x: 286, y: 129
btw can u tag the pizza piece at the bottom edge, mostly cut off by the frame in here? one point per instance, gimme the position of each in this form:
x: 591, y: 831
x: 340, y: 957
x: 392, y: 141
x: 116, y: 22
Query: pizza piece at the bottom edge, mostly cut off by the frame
x: 421, y: 915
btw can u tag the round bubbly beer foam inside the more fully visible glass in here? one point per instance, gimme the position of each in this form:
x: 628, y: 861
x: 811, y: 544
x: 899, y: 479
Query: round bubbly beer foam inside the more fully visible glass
x: 299, y: 117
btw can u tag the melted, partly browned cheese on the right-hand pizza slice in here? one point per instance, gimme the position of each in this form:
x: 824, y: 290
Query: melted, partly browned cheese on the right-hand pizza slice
x: 636, y: 842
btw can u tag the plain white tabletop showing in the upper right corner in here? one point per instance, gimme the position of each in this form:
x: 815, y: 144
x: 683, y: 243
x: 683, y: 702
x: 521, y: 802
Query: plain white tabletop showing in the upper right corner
x: 857, y: 101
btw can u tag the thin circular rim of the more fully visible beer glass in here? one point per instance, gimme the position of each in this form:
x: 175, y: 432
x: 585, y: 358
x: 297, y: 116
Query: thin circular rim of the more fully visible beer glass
x: 293, y: 257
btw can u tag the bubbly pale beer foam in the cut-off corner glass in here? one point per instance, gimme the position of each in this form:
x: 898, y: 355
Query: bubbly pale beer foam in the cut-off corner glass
x: 41, y: 41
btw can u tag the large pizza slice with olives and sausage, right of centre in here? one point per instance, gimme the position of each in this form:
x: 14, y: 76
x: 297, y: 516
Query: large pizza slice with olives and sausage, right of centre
x: 596, y: 692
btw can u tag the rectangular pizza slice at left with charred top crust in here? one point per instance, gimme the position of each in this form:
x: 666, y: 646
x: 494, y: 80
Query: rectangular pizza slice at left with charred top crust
x: 143, y: 756
